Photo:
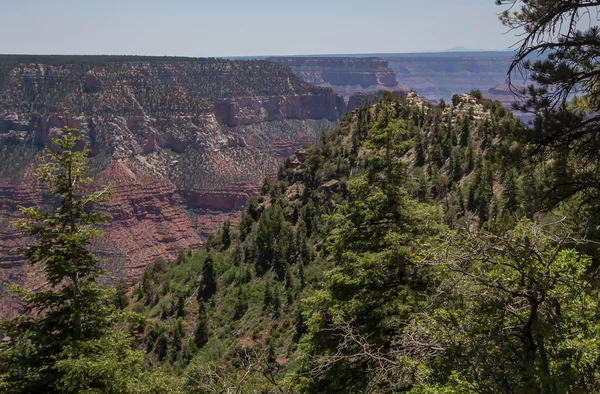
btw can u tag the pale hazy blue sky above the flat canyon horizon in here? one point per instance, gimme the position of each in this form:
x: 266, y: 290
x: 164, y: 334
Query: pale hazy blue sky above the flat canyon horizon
x: 248, y: 27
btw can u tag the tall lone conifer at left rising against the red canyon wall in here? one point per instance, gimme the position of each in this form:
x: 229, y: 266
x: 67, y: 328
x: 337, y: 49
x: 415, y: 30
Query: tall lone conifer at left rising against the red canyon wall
x: 73, y: 308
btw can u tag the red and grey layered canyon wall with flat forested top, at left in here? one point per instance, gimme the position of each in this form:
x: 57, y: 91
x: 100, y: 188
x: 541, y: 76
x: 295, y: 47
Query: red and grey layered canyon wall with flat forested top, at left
x: 184, y: 143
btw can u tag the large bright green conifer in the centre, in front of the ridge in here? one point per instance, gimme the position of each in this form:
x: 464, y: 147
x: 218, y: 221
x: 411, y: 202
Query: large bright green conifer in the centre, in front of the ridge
x: 371, y: 248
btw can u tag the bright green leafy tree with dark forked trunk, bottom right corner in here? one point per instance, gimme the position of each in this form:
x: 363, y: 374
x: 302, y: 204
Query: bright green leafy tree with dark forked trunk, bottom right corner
x: 516, y: 301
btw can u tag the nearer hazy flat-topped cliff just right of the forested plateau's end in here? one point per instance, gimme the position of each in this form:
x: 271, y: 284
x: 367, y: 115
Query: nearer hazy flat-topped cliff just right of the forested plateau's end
x: 346, y: 76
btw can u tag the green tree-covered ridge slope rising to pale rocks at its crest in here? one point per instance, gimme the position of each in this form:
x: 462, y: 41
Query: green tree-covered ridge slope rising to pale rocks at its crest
x: 350, y: 249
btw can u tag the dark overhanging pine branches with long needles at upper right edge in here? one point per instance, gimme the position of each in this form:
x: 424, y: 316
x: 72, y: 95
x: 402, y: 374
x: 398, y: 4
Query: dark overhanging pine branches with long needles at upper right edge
x: 564, y: 43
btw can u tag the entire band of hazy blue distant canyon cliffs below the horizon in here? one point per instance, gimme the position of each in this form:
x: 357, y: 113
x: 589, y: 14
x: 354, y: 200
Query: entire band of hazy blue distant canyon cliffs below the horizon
x: 434, y: 76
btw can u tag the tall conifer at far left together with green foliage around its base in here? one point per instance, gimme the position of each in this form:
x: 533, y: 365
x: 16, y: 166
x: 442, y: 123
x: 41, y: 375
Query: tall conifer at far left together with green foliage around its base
x: 67, y: 340
